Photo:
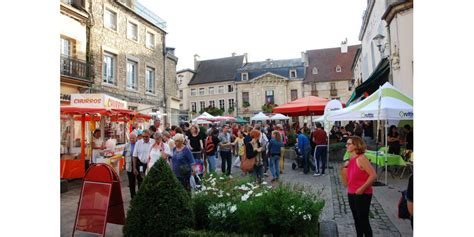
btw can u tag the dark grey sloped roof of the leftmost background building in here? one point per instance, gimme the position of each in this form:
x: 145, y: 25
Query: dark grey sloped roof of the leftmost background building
x: 217, y: 70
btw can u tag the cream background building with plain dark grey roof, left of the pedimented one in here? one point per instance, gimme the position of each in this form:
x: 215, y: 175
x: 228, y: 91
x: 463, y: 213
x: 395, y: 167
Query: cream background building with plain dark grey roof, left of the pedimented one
x: 213, y: 84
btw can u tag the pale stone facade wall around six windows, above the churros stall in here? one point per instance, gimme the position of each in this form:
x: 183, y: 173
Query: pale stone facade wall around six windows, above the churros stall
x: 116, y: 42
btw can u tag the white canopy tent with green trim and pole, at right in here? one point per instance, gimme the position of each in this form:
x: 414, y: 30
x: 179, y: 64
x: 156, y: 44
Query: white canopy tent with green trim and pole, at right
x: 387, y: 103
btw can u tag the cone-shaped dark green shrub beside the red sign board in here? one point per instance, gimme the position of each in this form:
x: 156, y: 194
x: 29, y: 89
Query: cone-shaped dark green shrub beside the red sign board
x: 161, y: 207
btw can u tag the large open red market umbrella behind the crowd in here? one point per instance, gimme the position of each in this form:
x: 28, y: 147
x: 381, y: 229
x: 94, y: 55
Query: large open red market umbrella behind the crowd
x: 309, y: 105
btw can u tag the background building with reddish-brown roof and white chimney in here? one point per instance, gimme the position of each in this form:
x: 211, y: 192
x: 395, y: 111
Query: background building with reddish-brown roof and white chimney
x: 328, y: 72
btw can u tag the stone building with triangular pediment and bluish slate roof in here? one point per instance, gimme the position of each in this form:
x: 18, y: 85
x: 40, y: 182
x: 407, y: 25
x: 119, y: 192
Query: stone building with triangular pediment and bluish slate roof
x: 271, y: 81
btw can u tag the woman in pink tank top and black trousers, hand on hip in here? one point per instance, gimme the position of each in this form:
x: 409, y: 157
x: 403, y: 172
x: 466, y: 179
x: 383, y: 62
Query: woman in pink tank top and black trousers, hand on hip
x: 359, y: 179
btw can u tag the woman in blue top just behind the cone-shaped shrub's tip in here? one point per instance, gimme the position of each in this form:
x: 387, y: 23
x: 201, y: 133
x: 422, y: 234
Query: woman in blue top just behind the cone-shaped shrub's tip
x: 182, y: 161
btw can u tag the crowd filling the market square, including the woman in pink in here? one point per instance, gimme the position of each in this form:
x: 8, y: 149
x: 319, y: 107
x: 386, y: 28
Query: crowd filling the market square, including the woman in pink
x: 192, y: 151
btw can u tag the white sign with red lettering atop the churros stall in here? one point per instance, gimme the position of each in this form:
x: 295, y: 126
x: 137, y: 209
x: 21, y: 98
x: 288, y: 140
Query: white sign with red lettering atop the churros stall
x: 97, y: 100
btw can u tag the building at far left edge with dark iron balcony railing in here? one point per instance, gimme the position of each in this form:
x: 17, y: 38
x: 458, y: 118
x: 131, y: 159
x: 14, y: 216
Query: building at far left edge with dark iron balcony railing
x: 75, y: 70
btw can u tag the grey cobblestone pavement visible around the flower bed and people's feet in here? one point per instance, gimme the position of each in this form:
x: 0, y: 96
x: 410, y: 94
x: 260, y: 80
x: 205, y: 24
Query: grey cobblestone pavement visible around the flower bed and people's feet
x: 383, y: 208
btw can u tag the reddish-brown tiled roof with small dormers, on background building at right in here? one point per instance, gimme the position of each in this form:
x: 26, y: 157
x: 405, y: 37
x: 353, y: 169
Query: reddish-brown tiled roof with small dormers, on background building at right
x: 326, y: 61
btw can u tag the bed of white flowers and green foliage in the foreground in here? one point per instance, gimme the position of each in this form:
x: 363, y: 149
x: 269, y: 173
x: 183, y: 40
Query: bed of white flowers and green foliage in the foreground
x: 238, y: 206
